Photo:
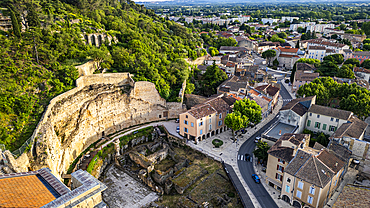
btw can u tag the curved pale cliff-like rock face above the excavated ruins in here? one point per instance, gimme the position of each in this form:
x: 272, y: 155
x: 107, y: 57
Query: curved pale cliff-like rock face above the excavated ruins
x: 100, y: 105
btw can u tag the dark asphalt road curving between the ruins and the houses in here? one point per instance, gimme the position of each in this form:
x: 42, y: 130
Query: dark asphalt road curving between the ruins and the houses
x: 246, y: 168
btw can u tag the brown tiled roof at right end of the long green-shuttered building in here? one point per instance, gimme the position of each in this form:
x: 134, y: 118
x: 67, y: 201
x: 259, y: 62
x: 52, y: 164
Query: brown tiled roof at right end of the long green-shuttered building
x: 354, y: 129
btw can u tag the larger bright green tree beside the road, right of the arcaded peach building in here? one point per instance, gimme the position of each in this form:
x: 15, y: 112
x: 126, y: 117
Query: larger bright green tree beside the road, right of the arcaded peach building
x: 250, y: 109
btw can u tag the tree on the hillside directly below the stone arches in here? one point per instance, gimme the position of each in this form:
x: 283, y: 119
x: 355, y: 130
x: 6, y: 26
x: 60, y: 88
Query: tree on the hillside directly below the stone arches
x: 101, y: 56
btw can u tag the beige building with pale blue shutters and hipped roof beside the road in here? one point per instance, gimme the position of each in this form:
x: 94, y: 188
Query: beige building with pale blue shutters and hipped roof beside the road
x: 311, y: 177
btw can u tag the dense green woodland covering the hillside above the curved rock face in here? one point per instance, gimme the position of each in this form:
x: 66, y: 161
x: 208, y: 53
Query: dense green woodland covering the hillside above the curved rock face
x: 38, y: 62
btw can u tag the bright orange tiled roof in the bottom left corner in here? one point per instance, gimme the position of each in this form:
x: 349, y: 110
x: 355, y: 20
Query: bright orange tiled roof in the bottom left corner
x: 24, y: 191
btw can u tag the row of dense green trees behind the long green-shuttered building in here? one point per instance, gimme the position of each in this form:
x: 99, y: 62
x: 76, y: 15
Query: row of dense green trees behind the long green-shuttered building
x: 351, y: 97
